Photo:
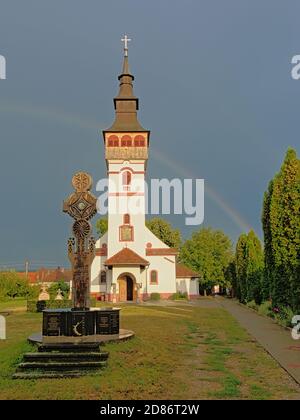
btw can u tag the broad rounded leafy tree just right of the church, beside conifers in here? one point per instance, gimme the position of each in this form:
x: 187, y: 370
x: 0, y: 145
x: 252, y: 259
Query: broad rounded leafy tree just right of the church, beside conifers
x: 208, y: 252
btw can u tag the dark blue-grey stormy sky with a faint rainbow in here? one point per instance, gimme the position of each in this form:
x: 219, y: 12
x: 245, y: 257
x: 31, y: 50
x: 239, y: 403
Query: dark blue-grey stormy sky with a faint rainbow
x: 215, y: 89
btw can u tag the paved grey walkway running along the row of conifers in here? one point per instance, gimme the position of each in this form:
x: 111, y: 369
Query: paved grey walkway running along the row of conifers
x: 276, y: 340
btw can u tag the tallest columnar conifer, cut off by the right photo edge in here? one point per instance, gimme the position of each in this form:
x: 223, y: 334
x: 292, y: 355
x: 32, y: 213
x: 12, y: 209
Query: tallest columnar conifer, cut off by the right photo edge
x: 284, y: 223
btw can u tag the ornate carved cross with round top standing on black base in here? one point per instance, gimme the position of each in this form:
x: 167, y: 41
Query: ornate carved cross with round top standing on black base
x: 81, y: 206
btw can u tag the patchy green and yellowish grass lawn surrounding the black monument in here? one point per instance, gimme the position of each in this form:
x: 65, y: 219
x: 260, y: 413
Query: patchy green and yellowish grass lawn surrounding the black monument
x: 179, y: 352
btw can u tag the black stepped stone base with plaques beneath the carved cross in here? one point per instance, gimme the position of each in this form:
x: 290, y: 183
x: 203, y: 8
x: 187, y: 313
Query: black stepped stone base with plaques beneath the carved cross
x: 70, y: 343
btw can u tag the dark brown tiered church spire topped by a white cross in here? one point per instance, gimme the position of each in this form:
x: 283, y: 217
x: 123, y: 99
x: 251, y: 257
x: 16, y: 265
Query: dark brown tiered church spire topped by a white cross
x: 126, y: 103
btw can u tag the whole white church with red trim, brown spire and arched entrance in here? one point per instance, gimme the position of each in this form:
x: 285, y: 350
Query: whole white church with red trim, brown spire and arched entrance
x: 131, y: 262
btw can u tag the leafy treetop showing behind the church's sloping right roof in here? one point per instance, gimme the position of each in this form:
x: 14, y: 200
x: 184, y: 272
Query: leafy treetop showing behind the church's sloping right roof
x: 164, y: 231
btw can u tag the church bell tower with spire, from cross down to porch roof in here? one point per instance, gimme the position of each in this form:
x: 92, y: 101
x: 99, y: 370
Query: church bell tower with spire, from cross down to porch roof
x: 126, y: 152
